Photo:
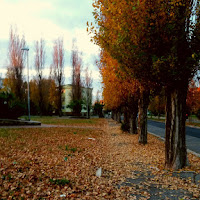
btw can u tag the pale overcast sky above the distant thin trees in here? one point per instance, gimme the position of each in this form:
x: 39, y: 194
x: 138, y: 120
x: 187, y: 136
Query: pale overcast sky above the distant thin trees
x: 50, y: 19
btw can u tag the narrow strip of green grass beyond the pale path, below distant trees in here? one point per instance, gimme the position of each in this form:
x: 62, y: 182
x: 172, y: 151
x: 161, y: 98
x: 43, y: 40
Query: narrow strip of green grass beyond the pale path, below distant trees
x: 62, y: 121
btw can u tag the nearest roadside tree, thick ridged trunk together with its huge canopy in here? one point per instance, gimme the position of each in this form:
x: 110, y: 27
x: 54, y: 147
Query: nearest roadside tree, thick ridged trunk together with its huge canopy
x: 158, y: 42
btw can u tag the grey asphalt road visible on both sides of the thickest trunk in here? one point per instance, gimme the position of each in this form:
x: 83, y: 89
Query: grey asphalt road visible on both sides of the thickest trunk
x: 192, y: 134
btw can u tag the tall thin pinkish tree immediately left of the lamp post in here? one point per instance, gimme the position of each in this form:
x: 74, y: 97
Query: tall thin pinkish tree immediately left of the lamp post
x: 16, y: 66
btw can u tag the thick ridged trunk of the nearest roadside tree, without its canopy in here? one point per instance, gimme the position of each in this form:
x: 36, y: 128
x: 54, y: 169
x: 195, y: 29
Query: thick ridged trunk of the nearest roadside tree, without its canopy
x: 175, y: 146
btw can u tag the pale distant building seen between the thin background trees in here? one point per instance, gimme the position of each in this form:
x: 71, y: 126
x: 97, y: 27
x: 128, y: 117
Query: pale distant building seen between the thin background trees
x: 66, y: 98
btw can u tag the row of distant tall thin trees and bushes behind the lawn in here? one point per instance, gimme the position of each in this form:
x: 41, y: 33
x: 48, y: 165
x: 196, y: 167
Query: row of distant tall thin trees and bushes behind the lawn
x: 45, y: 92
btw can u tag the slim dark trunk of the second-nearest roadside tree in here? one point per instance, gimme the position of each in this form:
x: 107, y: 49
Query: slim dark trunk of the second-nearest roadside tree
x: 142, y: 118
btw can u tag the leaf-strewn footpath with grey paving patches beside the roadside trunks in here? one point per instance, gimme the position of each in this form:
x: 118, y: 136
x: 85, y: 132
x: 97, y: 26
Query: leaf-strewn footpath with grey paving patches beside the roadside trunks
x: 143, y: 168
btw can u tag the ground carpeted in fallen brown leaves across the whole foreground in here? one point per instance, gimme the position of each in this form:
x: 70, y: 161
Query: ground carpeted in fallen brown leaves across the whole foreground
x: 61, y: 163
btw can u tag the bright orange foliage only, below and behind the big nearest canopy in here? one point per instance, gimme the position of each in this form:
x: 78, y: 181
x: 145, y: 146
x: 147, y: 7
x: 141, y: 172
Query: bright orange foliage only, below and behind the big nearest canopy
x: 117, y: 85
